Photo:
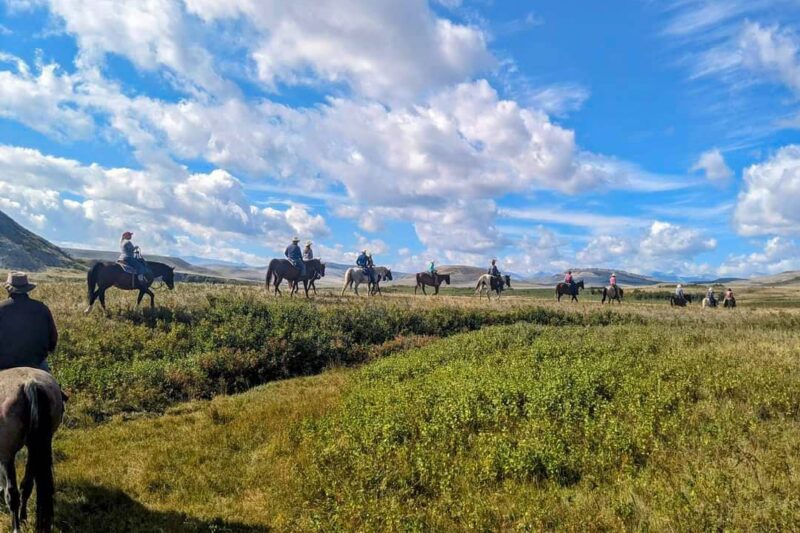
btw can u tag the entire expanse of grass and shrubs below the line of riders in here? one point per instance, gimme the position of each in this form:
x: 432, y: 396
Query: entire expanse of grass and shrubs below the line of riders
x: 461, y: 415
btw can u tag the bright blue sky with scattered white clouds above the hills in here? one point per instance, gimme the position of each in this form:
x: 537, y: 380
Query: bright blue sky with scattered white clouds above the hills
x: 656, y: 137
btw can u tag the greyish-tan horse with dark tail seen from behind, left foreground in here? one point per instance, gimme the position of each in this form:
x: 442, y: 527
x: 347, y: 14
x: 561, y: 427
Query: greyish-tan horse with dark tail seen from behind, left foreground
x: 32, y: 409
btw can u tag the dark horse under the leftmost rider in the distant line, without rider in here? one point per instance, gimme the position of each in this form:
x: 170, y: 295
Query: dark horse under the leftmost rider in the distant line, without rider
x: 103, y: 275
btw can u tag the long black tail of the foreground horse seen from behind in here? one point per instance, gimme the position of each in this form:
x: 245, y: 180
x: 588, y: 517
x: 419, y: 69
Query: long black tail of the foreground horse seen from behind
x: 40, y: 453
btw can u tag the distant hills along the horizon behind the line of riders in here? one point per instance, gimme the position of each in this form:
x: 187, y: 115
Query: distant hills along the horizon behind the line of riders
x: 24, y: 250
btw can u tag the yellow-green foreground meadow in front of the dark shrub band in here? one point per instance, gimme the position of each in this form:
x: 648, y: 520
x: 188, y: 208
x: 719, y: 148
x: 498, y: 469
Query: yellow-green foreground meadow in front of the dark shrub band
x: 672, y: 421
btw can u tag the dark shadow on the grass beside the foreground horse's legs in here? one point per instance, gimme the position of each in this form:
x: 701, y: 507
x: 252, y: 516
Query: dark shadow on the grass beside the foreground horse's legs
x: 84, y: 507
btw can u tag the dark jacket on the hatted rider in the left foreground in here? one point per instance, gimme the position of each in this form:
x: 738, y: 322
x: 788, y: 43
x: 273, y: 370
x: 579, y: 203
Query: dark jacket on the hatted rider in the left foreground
x: 27, y: 332
